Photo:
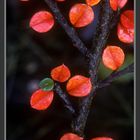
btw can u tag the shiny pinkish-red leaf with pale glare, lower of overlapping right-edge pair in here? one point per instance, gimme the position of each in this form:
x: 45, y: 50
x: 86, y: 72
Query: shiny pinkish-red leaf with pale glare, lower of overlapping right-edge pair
x: 125, y: 35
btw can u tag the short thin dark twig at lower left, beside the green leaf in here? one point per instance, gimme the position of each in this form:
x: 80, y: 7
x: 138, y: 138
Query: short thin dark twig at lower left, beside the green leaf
x: 64, y: 98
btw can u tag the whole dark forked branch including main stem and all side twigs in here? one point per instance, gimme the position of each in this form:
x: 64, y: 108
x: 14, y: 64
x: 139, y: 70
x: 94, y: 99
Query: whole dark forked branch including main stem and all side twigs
x: 106, y: 23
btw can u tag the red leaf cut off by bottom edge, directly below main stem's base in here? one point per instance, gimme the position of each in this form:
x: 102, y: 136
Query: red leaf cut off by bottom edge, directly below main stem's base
x: 70, y: 136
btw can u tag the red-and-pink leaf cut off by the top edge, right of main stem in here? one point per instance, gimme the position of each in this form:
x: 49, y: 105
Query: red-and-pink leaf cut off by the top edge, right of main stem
x: 115, y: 4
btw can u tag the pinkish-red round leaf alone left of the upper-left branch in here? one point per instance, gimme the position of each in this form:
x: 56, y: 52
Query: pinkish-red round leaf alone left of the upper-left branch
x: 42, y: 21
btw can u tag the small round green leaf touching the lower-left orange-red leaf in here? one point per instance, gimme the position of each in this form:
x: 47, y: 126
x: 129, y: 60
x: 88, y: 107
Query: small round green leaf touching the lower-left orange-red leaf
x: 46, y: 84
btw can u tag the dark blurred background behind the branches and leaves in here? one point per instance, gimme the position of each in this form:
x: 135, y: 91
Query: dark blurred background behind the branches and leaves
x: 30, y: 58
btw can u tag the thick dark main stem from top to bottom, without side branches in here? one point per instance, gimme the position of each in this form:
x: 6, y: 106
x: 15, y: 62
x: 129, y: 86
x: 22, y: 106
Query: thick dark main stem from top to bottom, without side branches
x: 79, y: 123
